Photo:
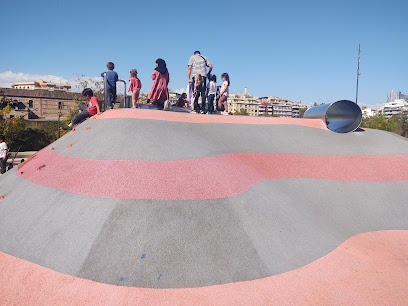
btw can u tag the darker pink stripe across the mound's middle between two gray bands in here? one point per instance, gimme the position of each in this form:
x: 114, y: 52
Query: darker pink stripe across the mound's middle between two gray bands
x: 214, y: 177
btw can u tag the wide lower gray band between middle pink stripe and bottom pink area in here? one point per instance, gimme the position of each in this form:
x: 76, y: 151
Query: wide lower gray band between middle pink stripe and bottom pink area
x: 277, y: 226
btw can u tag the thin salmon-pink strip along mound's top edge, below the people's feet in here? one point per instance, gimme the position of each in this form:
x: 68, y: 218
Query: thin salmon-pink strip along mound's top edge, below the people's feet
x: 197, y: 118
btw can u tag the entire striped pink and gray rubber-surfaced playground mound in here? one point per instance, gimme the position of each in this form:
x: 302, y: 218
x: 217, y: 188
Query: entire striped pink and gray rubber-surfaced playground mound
x: 144, y: 206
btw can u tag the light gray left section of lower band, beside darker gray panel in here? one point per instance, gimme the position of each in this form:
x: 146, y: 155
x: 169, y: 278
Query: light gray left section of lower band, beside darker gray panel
x: 49, y: 227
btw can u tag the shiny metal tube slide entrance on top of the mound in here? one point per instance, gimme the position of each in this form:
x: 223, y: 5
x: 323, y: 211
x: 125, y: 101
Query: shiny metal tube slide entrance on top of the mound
x: 341, y: 117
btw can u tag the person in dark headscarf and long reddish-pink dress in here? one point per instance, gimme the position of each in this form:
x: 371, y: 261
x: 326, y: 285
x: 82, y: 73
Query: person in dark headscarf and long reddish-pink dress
x: 161, y: 78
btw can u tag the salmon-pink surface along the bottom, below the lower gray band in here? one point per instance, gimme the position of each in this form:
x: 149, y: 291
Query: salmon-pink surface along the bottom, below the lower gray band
x: 368, y: 269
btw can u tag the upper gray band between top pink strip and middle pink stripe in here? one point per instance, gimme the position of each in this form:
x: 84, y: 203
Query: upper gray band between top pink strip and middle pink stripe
x: 141, y: 139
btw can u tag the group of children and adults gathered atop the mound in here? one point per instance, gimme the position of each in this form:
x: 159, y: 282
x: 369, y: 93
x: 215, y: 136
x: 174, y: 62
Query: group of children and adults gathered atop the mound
x: 199, y: 90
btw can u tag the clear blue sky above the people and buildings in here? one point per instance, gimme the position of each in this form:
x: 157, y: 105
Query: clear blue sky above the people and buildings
x: 299, y: 50
